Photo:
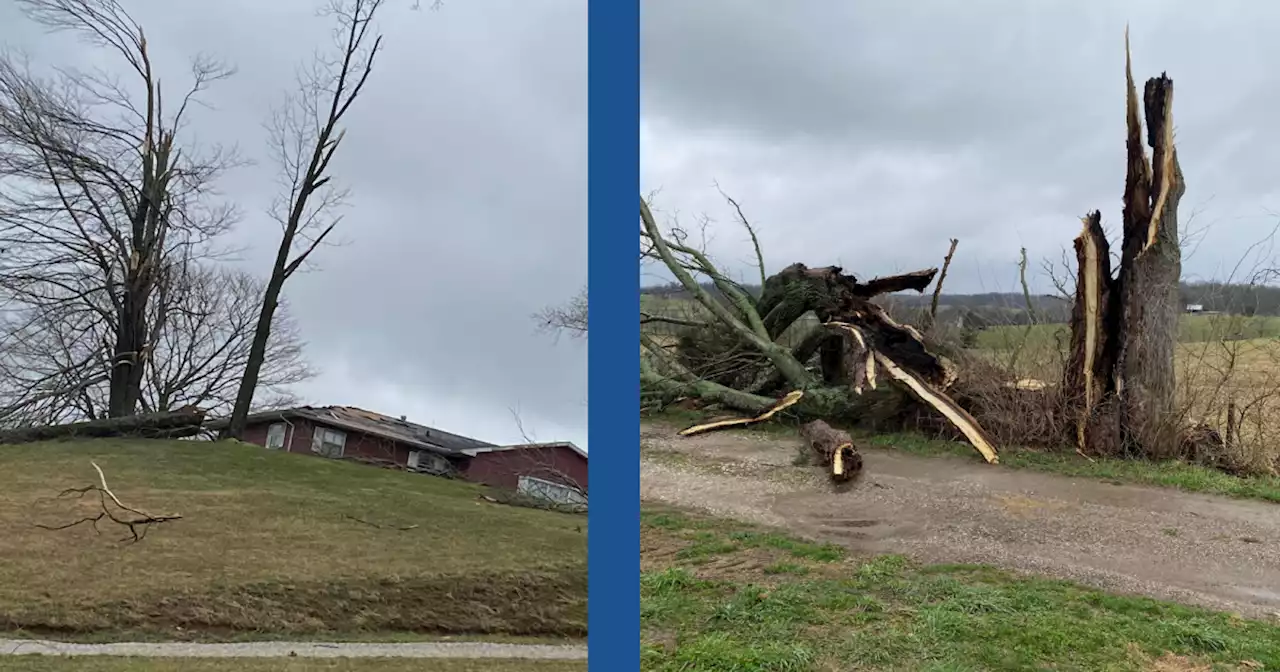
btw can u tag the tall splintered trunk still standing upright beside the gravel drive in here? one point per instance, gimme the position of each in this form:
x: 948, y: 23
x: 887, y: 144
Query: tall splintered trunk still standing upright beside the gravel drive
x: 1124, y: 330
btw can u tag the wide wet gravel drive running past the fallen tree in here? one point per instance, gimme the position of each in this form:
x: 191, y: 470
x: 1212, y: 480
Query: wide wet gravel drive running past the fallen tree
x: 1210, y: 551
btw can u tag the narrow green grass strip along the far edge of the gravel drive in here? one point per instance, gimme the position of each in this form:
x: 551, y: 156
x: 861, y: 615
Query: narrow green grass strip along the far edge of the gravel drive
x: 1185, y: 477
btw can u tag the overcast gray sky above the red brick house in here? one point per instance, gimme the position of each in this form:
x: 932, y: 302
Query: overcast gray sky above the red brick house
x: 467, y: 158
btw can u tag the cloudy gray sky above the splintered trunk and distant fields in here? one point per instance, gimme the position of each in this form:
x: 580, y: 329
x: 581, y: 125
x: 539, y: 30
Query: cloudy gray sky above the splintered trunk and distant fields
x: 868, y: 134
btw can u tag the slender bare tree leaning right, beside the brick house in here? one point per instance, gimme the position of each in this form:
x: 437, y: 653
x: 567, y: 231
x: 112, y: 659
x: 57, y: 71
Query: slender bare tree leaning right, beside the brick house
x: 305, y: 135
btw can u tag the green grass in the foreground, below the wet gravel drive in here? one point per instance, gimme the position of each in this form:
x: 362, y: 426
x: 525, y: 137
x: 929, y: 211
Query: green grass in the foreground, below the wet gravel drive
x: 719, y: 596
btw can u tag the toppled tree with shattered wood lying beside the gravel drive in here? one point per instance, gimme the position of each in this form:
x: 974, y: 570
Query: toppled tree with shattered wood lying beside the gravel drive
x: 733, y: 355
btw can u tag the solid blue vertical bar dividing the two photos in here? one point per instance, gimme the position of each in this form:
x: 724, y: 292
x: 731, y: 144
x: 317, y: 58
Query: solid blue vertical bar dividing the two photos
x: 614, y: 378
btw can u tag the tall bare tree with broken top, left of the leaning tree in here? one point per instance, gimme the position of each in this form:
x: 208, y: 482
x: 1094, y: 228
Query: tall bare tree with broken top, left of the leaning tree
x: 98, y: 195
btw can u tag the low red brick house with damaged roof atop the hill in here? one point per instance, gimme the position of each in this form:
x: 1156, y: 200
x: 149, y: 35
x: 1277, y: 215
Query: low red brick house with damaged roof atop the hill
x: 552, y: 470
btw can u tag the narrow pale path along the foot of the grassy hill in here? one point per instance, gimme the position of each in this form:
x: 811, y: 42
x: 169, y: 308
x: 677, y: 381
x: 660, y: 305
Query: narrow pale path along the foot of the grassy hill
x: 301, y: 650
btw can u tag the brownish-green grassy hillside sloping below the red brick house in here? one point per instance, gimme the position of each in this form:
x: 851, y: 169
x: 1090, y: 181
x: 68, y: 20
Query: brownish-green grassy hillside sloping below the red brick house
x: 267, y: 547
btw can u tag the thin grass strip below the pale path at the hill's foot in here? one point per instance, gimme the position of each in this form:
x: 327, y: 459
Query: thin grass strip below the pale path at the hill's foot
x: 44, y: 664
